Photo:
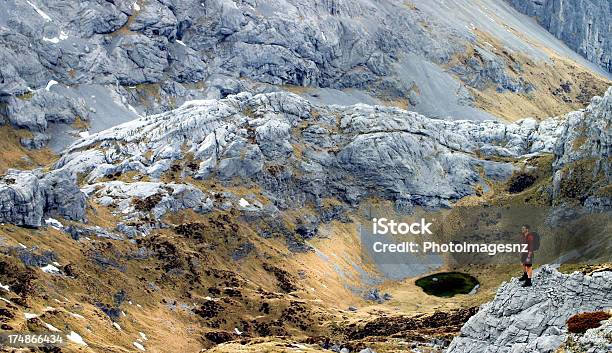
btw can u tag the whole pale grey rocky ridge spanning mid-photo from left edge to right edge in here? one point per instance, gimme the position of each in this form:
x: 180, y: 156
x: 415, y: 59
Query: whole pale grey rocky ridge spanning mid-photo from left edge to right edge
x: 297, y: 152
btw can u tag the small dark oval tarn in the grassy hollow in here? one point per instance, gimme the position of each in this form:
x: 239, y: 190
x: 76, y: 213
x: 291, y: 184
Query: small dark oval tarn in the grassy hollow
x: 447, y: 284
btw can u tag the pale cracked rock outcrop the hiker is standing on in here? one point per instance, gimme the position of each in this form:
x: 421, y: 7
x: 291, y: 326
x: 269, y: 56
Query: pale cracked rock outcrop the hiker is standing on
x: 533, y: 319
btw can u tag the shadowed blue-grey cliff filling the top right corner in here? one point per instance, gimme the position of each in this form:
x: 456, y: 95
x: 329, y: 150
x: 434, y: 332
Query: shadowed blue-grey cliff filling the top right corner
x: 583, y: 25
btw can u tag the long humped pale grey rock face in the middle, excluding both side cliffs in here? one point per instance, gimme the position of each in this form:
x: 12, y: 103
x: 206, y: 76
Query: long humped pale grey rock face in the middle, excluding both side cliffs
x: 298, y: 151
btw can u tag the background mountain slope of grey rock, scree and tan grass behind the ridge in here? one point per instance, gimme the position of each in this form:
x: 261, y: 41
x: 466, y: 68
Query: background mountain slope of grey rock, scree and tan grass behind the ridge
x: 89, y: 65
